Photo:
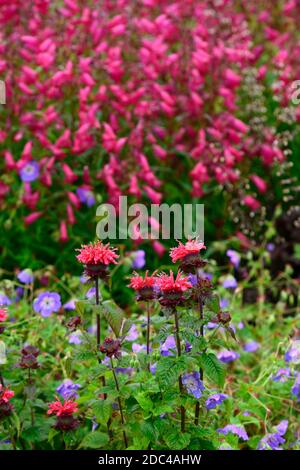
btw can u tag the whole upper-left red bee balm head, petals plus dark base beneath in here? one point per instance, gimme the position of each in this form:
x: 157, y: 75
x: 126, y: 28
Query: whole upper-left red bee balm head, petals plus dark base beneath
x: 97, y: 257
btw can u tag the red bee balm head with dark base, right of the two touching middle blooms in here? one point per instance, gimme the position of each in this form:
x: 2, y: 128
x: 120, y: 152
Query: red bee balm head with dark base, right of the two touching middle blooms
x: 171, y: 289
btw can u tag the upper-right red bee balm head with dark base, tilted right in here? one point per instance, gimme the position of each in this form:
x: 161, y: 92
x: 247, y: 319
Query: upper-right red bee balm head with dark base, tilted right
x: 188, y: 255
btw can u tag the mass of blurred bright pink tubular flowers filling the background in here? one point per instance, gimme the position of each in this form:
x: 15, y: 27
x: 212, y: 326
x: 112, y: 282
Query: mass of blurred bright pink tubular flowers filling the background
x: 151, y: 70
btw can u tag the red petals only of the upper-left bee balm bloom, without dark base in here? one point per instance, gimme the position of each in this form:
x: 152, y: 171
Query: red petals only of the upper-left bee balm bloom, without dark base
x: 97, y: 253
